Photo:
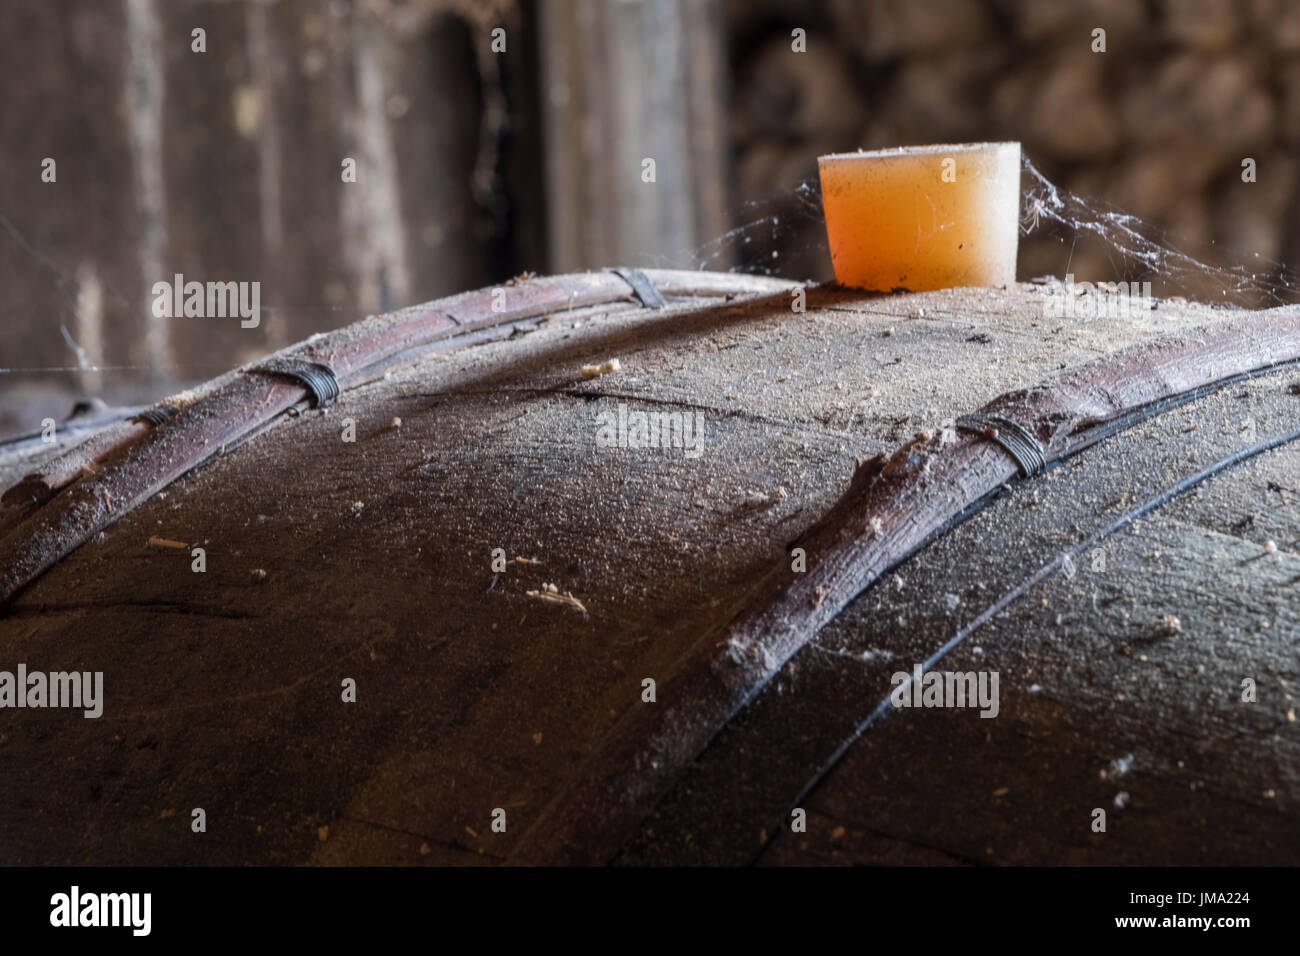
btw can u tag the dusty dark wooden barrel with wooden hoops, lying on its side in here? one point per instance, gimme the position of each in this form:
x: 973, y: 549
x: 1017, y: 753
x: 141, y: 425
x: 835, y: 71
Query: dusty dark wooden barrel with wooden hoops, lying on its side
x: 678, y: 569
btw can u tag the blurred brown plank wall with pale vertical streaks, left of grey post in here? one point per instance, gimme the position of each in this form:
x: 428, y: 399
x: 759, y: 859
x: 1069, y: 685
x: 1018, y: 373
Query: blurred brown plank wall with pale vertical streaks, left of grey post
x: 227, y: 166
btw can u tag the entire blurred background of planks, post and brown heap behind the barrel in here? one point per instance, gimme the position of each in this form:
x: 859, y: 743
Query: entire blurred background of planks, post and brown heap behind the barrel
x: 496, y: 137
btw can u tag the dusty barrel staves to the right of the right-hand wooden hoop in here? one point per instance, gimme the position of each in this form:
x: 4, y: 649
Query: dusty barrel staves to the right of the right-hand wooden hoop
x: 1090, y: 673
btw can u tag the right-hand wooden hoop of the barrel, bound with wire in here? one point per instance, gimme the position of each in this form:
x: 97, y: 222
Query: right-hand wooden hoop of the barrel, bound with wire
x: 892, y: 507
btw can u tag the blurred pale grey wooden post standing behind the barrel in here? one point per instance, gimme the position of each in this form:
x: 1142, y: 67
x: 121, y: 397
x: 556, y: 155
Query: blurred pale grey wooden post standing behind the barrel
x: 635, y: 129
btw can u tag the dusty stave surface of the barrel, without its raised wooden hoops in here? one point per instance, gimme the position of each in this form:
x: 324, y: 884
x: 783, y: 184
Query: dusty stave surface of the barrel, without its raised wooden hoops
x: 478, y: 689
